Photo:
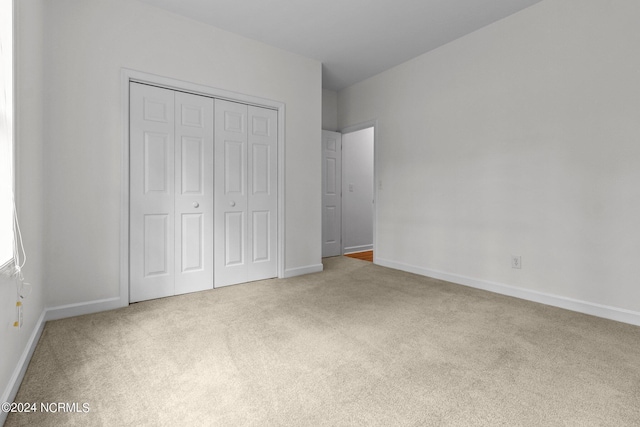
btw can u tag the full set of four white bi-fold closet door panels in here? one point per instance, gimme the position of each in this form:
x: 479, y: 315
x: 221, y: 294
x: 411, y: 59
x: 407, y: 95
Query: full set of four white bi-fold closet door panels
x: 173, y: 143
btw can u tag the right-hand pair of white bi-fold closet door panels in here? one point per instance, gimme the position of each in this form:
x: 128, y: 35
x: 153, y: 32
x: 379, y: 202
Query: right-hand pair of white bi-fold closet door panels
x: 245, y: 193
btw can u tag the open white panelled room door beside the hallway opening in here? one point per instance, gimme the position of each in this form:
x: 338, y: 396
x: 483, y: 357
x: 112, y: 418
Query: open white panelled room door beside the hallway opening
x: 331, y: 193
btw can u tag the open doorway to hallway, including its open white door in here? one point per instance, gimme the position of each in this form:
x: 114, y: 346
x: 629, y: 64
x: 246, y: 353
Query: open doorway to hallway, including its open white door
x: 348, y: 192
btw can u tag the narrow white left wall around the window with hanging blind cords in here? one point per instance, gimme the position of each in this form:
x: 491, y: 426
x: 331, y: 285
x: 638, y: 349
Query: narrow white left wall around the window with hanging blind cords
x: 29, y: 144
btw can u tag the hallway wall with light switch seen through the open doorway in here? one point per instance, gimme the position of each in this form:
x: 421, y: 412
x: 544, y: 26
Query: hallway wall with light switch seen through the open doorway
x: 357, y: 190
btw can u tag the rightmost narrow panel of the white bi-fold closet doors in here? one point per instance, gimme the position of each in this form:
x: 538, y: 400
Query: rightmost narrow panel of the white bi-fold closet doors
x: 262, y: 193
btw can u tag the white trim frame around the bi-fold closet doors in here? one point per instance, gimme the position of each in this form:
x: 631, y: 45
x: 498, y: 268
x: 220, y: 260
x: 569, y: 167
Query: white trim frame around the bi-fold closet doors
x: 126, y: 77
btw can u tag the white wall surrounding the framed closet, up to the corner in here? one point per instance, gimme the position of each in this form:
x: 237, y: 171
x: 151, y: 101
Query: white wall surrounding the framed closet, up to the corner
x: 87, y: 44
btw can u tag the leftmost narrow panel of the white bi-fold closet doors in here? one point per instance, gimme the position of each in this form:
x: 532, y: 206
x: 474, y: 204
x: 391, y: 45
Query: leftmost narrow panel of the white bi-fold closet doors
x: 152, y: 198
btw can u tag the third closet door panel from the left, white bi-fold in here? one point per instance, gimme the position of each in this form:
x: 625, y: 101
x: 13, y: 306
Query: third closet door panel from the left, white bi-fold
x: 230, y: 193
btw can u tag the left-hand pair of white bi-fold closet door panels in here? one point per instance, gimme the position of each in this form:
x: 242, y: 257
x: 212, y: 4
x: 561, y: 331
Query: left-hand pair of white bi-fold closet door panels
x: 171, y: 193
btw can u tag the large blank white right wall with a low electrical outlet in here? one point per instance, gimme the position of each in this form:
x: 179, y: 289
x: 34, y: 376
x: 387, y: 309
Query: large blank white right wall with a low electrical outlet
x: 522, y: 138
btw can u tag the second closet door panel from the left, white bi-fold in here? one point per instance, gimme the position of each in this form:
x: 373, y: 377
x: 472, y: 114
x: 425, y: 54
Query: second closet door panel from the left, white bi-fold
x: 193, y: 193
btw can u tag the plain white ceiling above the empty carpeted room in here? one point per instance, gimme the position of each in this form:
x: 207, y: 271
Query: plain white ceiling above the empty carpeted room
x: 354, y: 39
